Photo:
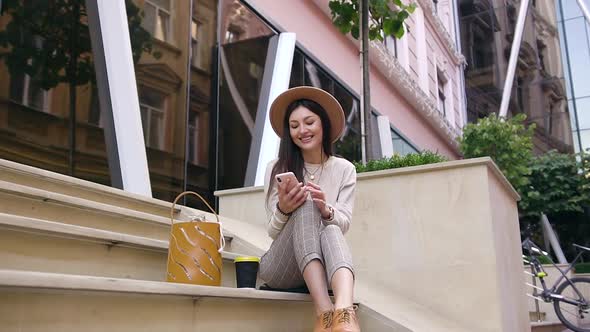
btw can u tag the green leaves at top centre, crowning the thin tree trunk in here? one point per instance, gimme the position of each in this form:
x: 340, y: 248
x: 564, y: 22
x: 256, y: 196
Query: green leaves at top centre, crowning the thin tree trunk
x: 386, y: 17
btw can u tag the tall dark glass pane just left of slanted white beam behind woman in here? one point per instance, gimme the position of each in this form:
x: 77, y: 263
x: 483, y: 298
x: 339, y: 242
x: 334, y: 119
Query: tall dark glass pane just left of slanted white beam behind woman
x: 243, y: 51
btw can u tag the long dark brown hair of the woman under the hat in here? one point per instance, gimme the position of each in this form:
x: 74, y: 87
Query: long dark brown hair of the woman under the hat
x: 290, y: 157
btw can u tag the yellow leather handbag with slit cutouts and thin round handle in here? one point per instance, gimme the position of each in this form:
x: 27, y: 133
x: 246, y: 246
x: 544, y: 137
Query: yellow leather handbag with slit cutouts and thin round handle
x: 194, y: 253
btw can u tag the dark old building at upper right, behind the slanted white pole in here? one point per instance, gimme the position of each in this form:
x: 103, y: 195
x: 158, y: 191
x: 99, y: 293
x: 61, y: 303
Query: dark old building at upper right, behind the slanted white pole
x: 487, y: 31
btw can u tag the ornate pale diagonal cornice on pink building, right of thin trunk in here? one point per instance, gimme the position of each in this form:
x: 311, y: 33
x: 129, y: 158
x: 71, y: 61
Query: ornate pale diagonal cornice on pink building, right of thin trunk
x: 399, y: 78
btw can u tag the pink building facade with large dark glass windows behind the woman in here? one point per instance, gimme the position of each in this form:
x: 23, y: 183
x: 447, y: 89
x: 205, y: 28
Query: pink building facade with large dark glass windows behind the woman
x: 200, y: 70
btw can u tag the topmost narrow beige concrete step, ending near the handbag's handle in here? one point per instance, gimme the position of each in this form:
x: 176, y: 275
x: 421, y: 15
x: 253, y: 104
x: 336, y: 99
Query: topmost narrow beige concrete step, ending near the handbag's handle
x: 61, y: 184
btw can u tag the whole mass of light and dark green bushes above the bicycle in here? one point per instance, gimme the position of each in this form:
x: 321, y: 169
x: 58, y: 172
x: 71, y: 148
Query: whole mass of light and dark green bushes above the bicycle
x: 555, y: 184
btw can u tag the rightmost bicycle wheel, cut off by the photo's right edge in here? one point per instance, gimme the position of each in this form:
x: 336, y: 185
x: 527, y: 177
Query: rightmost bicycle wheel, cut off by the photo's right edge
x: 574, y: 315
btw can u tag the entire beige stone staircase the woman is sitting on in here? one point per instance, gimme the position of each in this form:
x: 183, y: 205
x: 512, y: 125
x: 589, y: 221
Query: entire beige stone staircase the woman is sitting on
x: 78, y: 256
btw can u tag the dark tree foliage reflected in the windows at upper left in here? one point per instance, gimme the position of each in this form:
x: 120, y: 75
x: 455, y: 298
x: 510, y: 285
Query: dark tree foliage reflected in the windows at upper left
x: 50, y: 41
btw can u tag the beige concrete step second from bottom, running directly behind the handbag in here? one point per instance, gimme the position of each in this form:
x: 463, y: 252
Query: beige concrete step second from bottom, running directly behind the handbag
x: 46, y: 246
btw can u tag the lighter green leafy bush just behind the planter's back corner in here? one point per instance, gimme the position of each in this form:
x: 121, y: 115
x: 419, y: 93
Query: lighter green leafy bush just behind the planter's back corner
x: 508, y: 142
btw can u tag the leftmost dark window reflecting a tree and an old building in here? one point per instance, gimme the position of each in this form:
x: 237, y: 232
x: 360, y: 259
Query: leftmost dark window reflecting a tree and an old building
x: 46, y: 70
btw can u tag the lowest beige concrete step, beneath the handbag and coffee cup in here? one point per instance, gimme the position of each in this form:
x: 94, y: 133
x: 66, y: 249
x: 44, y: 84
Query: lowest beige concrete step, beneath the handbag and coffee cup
x: 50, y: 302
